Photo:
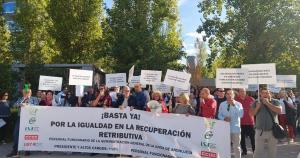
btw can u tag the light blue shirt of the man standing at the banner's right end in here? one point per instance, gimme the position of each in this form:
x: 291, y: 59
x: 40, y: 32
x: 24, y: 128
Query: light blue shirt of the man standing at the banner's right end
x: 235, y: 113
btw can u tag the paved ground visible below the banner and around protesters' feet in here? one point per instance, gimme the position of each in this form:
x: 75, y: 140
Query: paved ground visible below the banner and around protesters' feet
x: 285, y: 150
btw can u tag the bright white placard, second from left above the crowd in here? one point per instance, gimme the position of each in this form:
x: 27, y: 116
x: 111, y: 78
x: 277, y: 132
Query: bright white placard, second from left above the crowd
x: 81, y: 77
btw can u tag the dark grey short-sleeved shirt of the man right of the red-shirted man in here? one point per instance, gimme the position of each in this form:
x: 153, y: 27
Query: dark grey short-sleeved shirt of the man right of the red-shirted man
x: 263, y: 118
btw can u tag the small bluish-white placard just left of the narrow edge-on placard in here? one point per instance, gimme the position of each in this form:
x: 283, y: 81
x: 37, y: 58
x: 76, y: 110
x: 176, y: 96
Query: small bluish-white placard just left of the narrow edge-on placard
x: 113, y: 80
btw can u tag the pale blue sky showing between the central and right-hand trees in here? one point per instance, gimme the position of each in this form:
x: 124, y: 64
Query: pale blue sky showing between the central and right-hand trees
x: 189, y: 21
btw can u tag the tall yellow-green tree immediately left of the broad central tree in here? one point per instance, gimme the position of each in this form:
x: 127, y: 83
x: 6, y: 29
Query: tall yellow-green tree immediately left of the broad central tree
x: 77, y: 29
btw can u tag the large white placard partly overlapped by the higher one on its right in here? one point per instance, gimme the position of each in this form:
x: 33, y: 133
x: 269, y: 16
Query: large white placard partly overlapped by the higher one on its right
x: 232, y: 78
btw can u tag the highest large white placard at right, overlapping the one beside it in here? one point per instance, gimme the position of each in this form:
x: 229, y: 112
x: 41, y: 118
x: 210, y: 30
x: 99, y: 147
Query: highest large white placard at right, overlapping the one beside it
x: 261, y: 73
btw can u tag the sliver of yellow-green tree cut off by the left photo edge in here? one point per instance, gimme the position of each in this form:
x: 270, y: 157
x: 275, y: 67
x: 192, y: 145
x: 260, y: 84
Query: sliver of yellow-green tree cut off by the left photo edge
x: 5, y: 54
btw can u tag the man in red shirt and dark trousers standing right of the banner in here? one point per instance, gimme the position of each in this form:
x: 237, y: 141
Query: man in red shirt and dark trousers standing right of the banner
x: 247, y: 121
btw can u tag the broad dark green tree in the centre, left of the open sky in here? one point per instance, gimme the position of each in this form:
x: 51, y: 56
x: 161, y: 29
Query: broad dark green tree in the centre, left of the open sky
x: 146, y: 34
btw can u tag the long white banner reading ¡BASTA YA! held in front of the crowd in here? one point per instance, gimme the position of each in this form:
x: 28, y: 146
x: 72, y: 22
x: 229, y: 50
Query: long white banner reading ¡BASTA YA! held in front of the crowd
x: 114, y: 131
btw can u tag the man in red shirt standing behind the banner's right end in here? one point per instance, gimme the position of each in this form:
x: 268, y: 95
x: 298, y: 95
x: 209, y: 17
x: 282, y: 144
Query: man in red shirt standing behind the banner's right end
x: 208, y: 105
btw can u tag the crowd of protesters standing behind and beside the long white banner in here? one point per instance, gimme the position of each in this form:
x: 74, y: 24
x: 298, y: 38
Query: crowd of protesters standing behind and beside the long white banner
x: 248, y: 115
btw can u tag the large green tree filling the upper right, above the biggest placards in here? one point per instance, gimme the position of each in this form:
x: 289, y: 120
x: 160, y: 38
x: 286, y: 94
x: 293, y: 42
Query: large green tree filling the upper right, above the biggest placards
x: 253, y: 31
